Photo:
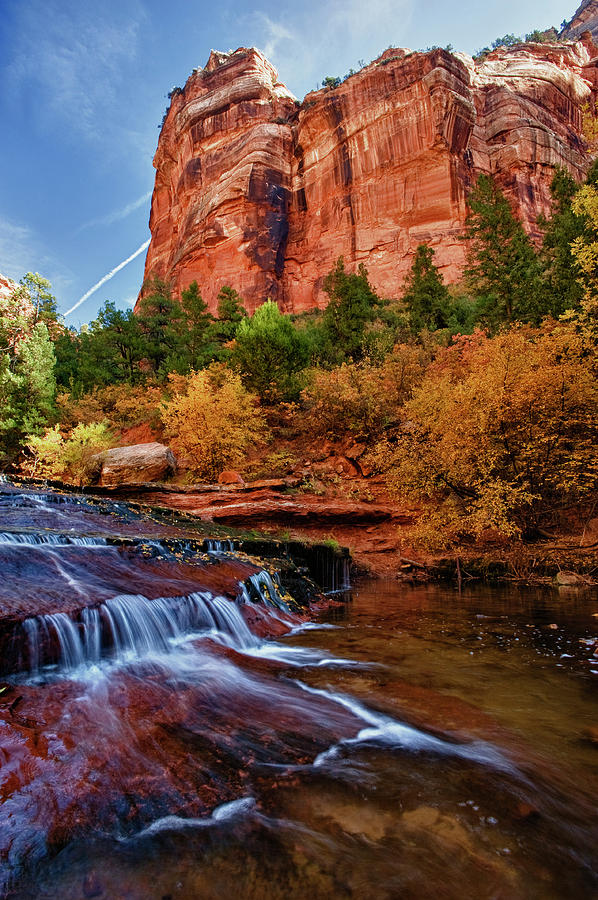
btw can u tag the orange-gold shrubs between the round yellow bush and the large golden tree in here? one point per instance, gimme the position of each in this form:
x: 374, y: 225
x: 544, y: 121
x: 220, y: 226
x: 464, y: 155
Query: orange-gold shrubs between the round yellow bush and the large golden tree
x: 362, y: 398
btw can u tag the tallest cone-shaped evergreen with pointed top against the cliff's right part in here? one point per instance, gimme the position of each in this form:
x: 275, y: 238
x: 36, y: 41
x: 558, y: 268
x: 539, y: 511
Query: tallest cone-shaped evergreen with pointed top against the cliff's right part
x: 502, y: 265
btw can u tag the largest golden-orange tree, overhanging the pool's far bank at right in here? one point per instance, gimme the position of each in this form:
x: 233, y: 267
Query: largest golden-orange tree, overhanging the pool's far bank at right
x: 499, y: 434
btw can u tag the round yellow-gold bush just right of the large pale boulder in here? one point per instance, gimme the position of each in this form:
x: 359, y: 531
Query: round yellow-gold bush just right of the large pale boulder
x: 213, y: 423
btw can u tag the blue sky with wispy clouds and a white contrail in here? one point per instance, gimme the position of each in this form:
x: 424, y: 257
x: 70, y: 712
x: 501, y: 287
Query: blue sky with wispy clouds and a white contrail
x: 83, y: 88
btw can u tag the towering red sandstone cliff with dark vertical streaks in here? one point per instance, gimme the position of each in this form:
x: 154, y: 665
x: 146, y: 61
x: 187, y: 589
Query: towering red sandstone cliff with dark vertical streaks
x: 263, y: 193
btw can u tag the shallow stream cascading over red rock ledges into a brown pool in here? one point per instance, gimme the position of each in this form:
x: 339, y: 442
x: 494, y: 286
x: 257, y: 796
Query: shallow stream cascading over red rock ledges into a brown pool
x: 174, y: 725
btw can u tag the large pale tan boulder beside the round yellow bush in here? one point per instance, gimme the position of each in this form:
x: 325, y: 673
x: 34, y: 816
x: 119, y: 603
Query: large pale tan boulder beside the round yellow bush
x: 139, y: 463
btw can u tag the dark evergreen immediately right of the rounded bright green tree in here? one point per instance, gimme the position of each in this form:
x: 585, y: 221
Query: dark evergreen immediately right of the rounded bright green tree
x: 352, y: 305
